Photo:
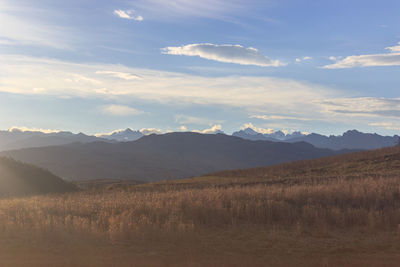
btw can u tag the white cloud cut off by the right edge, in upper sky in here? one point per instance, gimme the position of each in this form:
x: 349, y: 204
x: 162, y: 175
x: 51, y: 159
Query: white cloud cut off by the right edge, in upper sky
x: 374, y: 60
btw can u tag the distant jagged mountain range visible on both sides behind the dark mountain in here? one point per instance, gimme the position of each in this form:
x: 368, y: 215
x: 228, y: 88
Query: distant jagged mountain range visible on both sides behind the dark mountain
x: 16, y: 139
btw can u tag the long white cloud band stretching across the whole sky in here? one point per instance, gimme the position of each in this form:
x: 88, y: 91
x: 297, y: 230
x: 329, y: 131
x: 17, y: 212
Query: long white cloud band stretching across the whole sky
x: 255, y: 95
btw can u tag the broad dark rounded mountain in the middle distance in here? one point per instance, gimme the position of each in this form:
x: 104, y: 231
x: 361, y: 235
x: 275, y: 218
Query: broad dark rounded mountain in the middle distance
x: 157, y: 157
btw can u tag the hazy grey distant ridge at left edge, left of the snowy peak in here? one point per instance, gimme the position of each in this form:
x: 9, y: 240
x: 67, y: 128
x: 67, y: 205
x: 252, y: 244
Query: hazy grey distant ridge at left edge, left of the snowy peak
x: 17, y: 139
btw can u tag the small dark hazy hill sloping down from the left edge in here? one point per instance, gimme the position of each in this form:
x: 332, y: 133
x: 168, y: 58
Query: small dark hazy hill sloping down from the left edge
x: 17, y: 179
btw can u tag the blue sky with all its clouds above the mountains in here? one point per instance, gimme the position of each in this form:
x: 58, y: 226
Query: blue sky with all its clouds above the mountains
x: 95, y: 66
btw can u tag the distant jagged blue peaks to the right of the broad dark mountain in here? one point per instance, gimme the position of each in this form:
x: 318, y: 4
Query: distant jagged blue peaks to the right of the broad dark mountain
x: 349, y: 140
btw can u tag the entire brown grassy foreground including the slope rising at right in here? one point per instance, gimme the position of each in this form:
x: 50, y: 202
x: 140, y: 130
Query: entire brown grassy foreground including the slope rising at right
x: 339, y: 211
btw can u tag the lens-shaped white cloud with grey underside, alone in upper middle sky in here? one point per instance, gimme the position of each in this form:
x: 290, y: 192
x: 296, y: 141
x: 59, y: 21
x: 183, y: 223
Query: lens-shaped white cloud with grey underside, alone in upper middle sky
x: 224, y: 53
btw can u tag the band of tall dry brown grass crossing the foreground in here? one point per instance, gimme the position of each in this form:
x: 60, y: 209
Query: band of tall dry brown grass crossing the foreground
x: 370, y: 204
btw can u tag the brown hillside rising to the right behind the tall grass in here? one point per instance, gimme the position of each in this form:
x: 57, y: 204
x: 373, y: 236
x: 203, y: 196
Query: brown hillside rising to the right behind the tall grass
x: 358, y: 166
